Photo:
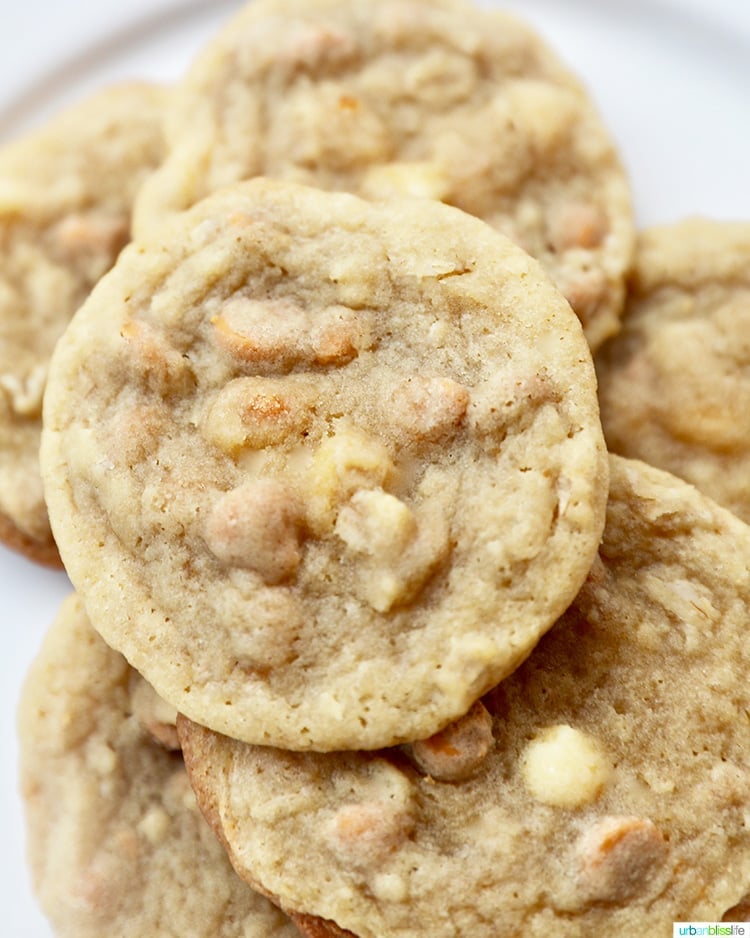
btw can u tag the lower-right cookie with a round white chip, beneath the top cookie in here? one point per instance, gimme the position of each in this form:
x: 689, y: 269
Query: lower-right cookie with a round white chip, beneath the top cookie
x: 602, y: 788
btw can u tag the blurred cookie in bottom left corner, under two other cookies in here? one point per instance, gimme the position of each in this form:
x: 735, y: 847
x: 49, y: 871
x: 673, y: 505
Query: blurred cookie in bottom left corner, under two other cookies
x: 116, y: 843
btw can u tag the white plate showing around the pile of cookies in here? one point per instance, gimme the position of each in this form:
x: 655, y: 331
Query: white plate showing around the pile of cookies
x: 671, y: 77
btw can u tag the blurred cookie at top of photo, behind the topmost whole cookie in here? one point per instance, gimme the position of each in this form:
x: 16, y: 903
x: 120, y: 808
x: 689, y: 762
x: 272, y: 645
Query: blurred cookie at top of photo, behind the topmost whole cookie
x: 415, y: 97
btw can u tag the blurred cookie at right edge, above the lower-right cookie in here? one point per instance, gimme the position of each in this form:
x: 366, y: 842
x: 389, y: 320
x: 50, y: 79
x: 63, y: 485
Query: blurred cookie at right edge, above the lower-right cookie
x: 675, y: 384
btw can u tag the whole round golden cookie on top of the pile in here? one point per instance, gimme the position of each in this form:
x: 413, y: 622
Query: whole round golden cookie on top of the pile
x: 323, y: 469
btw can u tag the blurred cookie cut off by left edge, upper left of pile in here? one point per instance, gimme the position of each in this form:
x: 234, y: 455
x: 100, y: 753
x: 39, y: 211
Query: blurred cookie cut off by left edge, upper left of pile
x: 66, y: 193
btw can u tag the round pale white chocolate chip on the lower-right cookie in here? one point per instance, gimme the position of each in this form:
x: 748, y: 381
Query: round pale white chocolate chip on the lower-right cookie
x: 564, y: 767
